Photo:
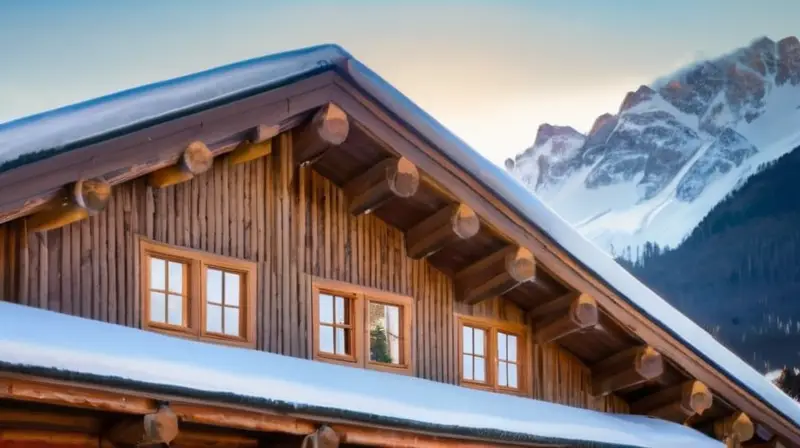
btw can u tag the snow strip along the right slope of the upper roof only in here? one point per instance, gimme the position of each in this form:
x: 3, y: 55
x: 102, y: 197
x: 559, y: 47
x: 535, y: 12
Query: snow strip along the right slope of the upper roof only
x: 591, y: 257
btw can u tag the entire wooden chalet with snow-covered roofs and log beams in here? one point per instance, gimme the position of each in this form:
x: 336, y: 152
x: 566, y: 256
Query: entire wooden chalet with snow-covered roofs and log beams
x: 288, y: 252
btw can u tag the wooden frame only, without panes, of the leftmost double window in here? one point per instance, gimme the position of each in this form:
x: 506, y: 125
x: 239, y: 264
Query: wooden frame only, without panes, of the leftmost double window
x: 195, y: 303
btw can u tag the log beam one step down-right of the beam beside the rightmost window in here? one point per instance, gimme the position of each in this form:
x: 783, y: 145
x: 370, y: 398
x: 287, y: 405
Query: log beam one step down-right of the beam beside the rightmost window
x: 626, y: 369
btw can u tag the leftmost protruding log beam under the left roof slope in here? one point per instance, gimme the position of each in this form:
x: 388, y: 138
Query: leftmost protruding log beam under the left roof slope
x: 80, y: 200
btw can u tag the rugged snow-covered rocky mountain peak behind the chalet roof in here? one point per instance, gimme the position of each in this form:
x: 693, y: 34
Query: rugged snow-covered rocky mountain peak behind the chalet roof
x: 673, y: 150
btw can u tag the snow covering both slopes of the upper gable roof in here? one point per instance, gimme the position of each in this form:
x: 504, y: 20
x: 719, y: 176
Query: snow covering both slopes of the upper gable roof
x: 24, y: 140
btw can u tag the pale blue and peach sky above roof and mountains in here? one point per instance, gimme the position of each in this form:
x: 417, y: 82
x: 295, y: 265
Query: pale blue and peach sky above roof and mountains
x: 491, y: 71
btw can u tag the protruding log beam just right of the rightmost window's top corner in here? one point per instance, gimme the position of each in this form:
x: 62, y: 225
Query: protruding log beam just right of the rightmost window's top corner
x: 567, y: 315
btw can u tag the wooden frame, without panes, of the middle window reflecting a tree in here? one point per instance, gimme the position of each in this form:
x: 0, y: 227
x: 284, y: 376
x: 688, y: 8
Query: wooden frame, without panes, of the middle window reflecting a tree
x: 360, y: 297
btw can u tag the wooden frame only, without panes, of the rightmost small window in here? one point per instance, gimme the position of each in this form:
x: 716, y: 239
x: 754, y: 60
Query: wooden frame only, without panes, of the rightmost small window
x: 492, y: 327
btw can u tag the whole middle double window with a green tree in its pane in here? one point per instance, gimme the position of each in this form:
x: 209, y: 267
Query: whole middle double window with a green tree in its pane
x: 362, y: 327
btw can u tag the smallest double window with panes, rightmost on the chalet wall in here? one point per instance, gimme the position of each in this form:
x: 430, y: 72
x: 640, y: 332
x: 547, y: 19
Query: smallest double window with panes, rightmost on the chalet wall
x: 492, y: 354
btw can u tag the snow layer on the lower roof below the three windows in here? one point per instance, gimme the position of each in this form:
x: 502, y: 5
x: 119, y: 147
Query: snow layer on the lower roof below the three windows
x: 59, y: 344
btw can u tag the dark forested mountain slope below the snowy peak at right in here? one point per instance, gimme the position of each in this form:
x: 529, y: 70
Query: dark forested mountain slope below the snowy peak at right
x: 738, y: 272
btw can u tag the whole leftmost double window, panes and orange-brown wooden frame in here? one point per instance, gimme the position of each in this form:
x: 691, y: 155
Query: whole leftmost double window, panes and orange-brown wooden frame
x: 198, y: 295
